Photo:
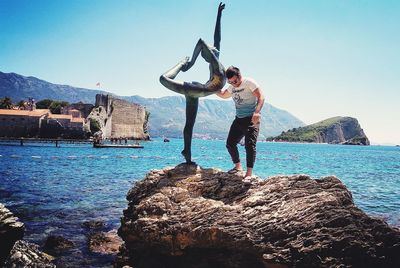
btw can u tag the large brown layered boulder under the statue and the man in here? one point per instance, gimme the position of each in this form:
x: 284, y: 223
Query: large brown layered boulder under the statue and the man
x: 192, y: 217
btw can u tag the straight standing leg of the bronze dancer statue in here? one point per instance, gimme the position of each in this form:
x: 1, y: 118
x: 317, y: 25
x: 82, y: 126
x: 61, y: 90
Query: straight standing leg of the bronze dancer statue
x: 192, y: 105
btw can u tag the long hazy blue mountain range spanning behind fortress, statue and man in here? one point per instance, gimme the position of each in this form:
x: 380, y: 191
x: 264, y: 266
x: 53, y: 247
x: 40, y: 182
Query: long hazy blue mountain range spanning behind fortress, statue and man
x: 167, y: 113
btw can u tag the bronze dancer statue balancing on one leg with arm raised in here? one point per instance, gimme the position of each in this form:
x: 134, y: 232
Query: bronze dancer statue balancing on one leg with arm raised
x: 194, y: 90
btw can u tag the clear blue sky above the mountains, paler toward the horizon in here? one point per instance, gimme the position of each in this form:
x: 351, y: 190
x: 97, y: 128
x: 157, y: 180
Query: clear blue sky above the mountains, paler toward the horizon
x: 315, y: 59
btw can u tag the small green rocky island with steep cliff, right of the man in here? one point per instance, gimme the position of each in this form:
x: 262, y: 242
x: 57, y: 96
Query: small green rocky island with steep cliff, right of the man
x: 338, y: 130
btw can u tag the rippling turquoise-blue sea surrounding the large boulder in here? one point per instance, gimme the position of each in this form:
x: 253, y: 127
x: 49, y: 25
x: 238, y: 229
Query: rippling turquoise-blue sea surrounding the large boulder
x: 54, y: 190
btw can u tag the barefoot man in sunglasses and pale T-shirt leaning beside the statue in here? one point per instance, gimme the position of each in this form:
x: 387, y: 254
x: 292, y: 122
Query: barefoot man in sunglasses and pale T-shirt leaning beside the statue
x: 249, y: 100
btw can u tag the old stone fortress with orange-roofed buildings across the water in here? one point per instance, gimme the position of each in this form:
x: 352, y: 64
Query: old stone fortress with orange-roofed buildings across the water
x: 115, y: 118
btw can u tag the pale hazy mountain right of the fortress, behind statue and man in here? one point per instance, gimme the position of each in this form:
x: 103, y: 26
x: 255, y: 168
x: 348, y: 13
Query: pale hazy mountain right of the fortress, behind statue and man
x: 167, y: 117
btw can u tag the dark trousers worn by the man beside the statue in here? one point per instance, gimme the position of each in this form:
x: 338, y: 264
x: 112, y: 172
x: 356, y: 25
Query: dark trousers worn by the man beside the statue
x: 243, y: 127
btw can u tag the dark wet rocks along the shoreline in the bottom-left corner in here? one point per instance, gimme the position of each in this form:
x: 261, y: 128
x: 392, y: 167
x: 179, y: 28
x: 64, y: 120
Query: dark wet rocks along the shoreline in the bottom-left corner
x: 56, y: 249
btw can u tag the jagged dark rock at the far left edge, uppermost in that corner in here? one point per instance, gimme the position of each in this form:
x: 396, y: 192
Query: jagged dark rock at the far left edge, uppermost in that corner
x: 11, y: 230
